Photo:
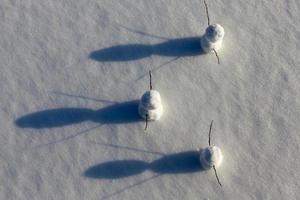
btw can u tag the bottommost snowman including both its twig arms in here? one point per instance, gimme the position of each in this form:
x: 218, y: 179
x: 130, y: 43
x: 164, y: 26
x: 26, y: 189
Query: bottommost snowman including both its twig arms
x: 211, y: 156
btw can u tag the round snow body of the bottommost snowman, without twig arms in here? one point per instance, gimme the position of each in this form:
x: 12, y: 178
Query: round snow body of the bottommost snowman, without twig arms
x: 211, y: 156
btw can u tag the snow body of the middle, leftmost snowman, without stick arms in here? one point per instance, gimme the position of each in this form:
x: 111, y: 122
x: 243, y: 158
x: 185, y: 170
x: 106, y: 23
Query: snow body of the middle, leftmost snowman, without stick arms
x: 150, y: 104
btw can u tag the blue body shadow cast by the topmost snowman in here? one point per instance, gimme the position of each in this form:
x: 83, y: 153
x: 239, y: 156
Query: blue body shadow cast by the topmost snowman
x: 189, y: 46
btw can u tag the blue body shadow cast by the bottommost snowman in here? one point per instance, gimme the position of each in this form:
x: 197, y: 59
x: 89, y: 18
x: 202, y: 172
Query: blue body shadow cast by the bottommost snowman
x: 184, y: 162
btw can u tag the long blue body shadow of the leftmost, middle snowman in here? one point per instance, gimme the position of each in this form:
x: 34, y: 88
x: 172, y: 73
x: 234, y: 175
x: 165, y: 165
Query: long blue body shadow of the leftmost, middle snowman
x: 117, y: 113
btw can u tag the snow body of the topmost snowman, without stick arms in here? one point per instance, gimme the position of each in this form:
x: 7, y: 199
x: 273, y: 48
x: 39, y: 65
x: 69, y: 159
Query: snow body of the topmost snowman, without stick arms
x: 213, y: 38
